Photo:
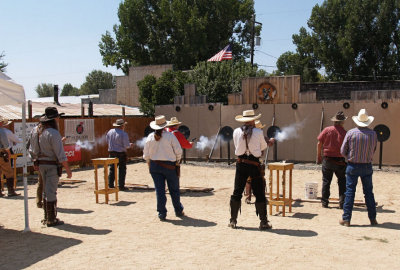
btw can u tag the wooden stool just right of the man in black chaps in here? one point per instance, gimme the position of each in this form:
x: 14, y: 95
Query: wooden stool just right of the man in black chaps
x: 278, y: 200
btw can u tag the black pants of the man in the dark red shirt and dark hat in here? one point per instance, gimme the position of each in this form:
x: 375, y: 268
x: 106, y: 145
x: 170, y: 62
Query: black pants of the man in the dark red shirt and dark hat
x: 330, y: 166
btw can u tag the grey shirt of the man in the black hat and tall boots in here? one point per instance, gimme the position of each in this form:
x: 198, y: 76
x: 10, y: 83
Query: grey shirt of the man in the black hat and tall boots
x: 51, y: 146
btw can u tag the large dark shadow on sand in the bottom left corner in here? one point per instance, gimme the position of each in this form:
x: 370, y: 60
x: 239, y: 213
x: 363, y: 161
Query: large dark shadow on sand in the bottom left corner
x: 20, y: 250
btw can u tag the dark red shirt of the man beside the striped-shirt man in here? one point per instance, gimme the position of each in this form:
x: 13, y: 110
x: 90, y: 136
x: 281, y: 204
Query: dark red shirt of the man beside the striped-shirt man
x: 331, y: 139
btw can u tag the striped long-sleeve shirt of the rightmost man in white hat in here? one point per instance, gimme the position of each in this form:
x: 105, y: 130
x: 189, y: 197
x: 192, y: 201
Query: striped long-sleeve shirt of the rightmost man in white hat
x: 359, y: 145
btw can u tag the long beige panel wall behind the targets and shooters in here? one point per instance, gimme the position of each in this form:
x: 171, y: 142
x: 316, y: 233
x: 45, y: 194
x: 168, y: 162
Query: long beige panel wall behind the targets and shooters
x: 201, y: 121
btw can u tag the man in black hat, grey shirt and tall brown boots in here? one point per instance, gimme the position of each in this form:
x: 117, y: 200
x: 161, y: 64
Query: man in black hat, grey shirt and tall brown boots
x: 47, y: 149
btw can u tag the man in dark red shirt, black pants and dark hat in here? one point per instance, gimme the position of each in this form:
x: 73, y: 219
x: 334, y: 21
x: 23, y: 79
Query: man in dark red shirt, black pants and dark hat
x: 328, y: 152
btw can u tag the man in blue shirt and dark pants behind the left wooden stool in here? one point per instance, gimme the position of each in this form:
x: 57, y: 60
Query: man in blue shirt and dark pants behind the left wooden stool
x: 118, y: 143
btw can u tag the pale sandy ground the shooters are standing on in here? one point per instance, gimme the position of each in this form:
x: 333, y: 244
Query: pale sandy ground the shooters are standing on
x: 127, y: 234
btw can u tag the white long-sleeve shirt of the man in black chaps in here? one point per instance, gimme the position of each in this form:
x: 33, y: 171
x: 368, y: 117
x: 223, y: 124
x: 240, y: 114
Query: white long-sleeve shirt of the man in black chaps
x: 256, y: 143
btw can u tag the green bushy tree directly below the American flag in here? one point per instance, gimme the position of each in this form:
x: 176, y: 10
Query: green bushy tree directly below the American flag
x: 218, y: 79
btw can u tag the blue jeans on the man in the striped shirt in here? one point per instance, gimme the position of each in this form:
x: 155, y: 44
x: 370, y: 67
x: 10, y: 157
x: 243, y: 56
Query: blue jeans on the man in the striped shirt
x: 364, y: 171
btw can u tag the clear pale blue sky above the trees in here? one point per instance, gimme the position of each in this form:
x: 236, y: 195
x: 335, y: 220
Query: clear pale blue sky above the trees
x: 56, y: 41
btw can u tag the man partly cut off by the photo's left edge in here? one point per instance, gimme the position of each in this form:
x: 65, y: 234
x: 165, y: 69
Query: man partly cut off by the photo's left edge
x: 5, y: 164
